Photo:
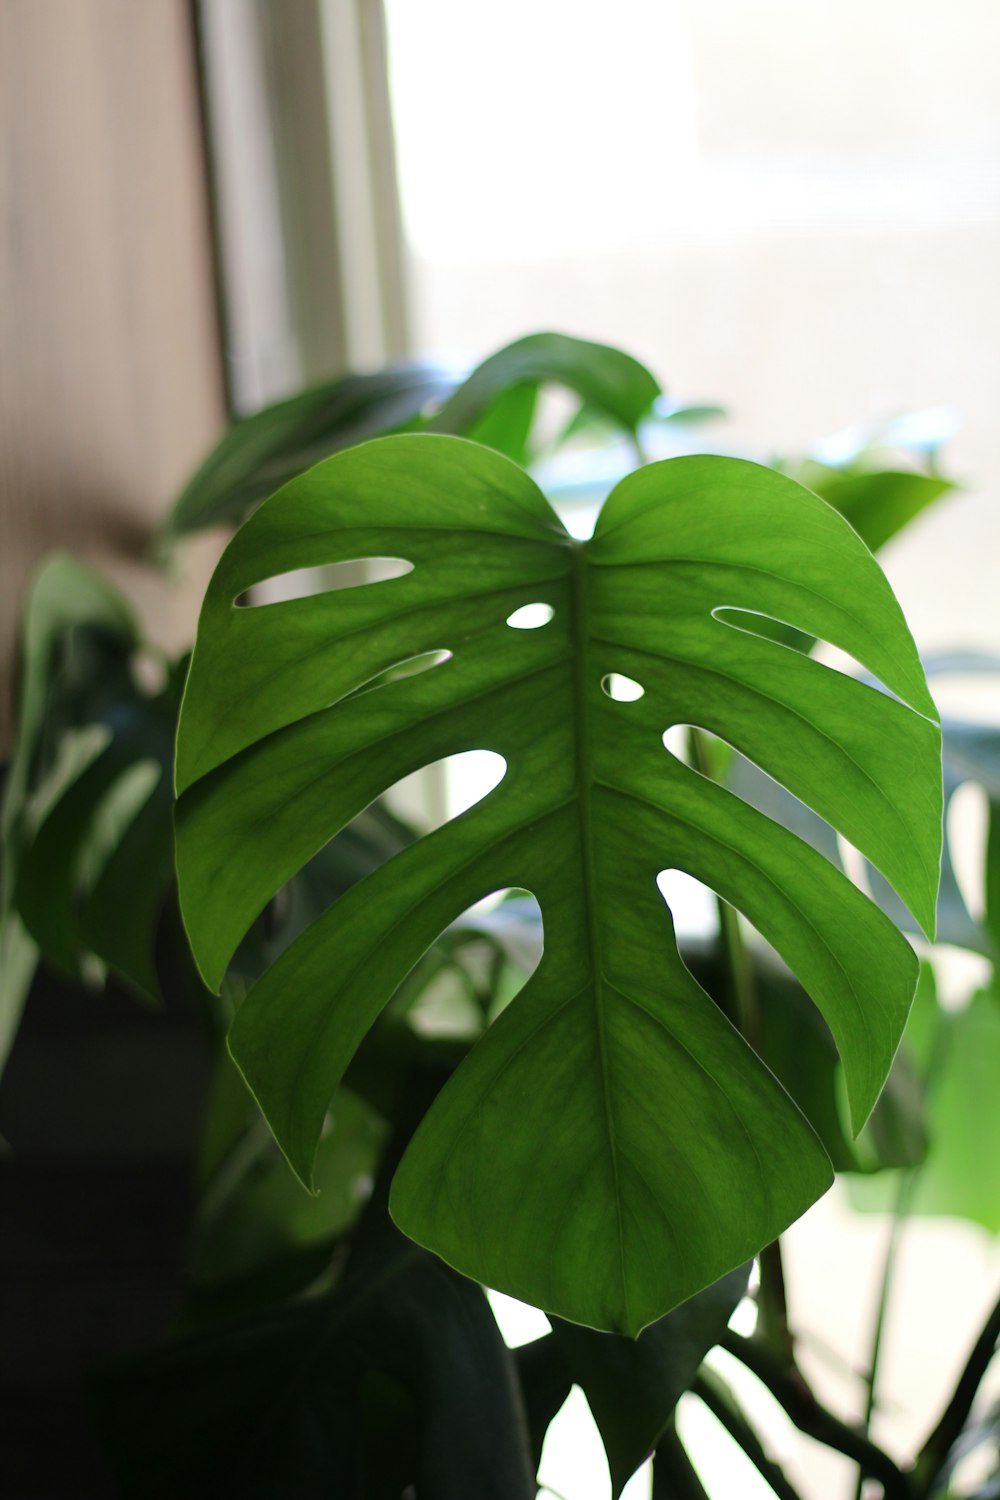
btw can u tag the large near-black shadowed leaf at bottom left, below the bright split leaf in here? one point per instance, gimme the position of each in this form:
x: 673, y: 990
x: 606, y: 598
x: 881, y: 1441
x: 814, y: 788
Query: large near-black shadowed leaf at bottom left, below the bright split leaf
x: 400, y: 1378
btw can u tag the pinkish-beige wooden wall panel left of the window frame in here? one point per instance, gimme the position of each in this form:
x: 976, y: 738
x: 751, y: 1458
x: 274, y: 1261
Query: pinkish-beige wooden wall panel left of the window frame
x: 110, y: 365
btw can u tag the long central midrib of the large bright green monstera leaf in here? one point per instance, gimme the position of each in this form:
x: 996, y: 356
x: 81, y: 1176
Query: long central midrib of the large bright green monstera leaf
x: 585, y: 781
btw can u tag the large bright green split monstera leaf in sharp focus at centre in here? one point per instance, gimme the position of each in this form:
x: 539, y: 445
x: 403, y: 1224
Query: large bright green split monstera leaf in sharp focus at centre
x: 612, y: 1144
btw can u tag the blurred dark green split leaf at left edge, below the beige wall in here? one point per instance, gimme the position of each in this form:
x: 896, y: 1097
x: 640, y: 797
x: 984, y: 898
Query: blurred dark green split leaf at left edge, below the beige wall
x: 88, y: 800
